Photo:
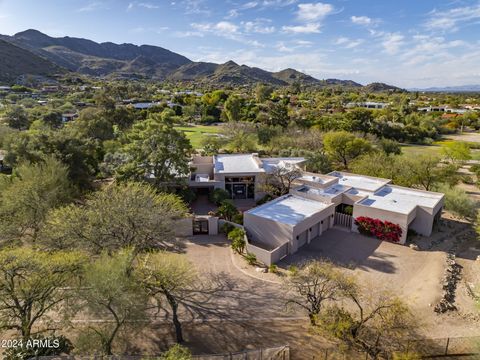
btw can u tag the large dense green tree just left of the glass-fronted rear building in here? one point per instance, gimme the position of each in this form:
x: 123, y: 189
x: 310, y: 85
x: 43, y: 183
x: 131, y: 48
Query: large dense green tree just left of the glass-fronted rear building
x: 157, y: 152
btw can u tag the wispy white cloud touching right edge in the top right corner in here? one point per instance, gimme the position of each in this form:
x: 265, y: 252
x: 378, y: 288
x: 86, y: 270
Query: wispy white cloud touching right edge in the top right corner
x: 452, y: 19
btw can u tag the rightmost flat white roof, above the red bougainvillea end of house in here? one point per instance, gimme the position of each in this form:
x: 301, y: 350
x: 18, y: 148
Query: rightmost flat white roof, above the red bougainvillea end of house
x: 401, y: 200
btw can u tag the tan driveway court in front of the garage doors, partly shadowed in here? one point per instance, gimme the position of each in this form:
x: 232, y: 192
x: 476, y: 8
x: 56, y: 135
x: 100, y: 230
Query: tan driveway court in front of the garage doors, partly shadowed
x: 413, y: 275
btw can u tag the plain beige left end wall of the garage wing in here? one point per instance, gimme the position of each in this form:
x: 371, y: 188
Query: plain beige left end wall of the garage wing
x: 266, y: 231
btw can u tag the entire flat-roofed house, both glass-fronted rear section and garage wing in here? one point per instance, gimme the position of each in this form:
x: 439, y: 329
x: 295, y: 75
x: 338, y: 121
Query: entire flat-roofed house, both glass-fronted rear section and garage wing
x: 314, y: 204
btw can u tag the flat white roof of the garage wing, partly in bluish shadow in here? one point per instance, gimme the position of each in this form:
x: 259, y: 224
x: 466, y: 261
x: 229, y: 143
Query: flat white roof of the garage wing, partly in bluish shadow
x: 289, y: 209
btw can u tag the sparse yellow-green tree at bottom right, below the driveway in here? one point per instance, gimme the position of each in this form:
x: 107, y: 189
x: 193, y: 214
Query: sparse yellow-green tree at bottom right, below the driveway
x: 379, y: 322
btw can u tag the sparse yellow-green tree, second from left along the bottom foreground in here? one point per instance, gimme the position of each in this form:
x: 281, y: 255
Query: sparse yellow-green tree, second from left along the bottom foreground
x: 108, y: 292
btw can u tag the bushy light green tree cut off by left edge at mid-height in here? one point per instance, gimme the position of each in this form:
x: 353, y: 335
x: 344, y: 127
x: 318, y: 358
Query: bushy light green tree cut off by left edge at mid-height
x: 27, y: 196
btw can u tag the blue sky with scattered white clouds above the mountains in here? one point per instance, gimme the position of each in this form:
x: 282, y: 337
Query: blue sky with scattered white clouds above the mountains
x: 407, y: 43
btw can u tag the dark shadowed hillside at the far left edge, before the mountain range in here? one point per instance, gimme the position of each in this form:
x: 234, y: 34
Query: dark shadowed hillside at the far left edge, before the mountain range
x: 15, y: 61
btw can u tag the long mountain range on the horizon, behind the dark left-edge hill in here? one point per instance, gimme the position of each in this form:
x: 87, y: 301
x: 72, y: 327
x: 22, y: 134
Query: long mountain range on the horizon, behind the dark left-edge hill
x: 152, y: 62
